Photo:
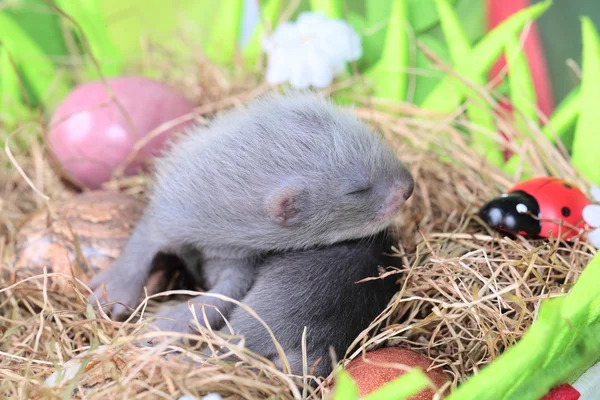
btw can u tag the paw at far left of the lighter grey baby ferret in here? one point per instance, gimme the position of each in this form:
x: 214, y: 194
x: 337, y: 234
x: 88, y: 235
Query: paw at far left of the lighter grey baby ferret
x: 122, y: 294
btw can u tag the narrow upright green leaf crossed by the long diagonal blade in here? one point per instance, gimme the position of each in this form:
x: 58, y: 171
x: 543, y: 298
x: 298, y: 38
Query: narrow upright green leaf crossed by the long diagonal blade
x: 480, y: 113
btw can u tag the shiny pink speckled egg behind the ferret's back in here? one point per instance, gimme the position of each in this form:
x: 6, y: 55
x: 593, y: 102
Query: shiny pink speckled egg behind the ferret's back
x: 90, y: 137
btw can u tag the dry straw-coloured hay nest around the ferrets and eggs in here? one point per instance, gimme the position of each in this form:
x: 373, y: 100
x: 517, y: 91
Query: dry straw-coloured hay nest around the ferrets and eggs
x: 468, y: 294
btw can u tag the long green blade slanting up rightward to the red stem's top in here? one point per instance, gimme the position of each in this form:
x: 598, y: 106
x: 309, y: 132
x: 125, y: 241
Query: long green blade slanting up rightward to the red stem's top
x: 483, y: 56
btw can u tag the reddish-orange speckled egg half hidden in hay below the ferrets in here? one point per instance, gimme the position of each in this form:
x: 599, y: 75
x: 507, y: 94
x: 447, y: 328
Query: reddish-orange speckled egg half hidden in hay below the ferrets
x: 370, y: 376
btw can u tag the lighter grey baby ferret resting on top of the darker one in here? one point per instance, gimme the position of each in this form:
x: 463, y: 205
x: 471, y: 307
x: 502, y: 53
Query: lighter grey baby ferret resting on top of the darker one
x: 288, y: 172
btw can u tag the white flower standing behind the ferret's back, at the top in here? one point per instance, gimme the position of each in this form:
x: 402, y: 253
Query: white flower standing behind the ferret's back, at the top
x: 311, y: 51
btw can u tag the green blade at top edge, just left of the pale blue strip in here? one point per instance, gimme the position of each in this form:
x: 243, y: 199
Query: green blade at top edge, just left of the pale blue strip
x: 222, y: 45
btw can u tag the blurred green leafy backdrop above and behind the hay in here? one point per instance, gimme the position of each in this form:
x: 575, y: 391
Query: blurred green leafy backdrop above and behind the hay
x: 51, y: 55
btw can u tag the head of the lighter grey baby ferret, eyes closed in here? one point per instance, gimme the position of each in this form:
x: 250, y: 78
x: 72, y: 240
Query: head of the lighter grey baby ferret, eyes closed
x: 341, y: 180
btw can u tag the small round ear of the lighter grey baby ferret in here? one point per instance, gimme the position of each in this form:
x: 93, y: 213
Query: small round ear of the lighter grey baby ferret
x: 286, y: 203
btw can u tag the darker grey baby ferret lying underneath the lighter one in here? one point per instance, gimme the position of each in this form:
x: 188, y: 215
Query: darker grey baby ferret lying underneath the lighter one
x: 317, y: 288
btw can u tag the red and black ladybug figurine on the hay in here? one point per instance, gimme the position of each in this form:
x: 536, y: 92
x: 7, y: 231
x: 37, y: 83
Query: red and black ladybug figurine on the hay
x: 533, y: 208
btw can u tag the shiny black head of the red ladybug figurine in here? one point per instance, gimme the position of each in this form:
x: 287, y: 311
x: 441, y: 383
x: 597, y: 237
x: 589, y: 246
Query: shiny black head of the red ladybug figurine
x: 514, y: 212
